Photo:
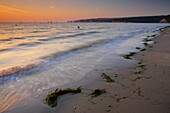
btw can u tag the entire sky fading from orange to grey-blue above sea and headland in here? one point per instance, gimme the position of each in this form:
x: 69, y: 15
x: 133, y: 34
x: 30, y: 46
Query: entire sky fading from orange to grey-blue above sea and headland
x: 65, y: 10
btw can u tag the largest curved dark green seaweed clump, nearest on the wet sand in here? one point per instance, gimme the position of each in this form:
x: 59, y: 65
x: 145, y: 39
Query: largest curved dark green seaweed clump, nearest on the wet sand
x: 51, y: 98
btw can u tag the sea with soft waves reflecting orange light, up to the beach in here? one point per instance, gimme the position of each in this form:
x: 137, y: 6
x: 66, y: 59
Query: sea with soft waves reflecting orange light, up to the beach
x: 38, y: 56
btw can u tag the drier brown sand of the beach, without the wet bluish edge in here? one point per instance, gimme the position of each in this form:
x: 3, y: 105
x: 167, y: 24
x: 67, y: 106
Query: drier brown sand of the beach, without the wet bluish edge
x: 142, y: 88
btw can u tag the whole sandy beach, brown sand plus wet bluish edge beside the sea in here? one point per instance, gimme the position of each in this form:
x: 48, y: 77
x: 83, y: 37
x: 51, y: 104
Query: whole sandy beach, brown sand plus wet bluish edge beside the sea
x: 140, y: 86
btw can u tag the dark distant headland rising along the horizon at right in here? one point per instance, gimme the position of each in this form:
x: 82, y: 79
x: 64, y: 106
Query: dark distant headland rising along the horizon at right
x: 139, y: 19
